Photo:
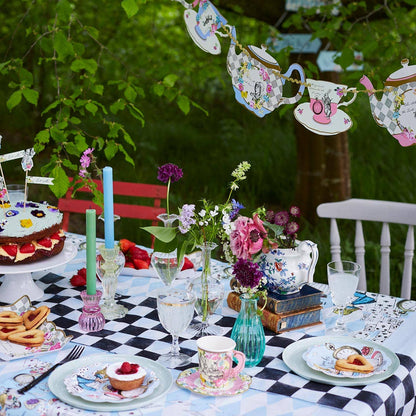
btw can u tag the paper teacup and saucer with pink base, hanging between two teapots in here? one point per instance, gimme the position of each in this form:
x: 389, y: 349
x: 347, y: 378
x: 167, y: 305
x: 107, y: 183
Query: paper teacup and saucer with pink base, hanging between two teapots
x: 321, y: 114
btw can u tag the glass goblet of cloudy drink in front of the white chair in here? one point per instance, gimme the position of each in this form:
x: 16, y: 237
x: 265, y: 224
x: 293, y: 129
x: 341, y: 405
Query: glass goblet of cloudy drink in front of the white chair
x: 343, y: 277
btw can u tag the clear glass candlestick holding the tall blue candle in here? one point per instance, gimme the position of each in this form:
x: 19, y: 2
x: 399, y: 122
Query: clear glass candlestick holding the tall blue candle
x: 110, y: 261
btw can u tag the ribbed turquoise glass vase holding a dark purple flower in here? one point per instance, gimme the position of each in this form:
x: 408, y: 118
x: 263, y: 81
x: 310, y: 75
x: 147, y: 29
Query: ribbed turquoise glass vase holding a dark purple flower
x: 248, y: 332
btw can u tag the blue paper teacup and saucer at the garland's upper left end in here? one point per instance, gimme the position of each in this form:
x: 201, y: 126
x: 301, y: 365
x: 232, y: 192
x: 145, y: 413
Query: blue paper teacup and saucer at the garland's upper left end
x: 202, y: 26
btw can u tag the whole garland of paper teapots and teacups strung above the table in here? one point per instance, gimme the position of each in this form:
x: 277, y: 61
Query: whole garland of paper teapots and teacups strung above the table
x: 258, y: 82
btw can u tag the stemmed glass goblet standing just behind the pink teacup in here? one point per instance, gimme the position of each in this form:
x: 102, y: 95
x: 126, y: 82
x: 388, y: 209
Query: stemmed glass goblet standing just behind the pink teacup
x: 175, y: 308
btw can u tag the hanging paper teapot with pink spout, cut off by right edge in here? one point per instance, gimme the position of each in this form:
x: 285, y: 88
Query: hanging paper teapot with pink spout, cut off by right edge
x: 396, y: 110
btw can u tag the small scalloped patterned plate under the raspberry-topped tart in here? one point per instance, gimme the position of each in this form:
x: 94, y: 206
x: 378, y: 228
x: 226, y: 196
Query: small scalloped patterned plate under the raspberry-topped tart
x: 91, y: 384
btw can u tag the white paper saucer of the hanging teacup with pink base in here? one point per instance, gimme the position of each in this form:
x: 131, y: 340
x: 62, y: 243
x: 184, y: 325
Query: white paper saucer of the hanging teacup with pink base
x: 340, y: 122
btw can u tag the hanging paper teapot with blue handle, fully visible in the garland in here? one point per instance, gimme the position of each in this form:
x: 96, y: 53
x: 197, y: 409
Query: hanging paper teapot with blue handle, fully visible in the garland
x: 256, y: 79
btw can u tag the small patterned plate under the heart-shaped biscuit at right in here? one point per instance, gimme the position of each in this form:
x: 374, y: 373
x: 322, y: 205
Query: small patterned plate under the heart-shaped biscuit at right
x: 323, y: 357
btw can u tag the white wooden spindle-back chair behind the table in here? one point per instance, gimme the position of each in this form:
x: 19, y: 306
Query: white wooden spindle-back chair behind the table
x: 385, y: 212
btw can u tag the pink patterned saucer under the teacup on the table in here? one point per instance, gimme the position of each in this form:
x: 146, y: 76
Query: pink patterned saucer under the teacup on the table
x: 189, y: 379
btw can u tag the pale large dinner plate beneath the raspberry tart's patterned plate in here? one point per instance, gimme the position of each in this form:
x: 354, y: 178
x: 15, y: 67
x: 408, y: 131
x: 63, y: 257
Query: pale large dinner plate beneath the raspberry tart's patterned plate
x: 58, y: 388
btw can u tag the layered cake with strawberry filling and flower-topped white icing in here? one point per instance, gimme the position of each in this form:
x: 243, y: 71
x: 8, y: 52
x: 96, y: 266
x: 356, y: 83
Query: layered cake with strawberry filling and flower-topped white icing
x: 29, y: 232
